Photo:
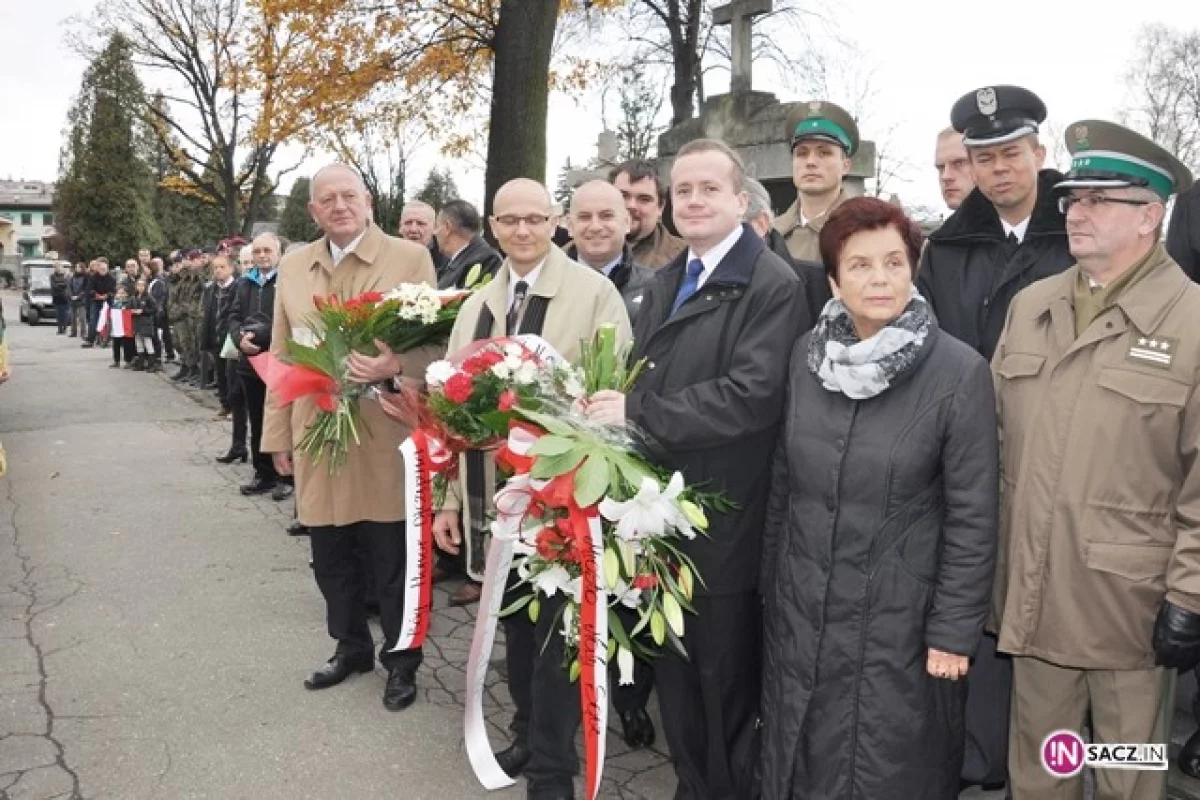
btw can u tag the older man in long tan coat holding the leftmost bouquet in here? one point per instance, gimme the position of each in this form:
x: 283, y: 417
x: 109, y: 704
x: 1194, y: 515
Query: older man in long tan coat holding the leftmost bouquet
x: 362, y: 507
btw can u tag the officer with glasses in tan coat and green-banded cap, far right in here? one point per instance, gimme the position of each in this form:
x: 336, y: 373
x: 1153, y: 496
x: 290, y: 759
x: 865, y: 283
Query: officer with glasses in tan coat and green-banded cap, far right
x: 1099, y: 588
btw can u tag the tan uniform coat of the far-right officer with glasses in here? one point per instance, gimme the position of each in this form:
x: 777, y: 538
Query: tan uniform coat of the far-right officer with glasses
x: 1101, y: 486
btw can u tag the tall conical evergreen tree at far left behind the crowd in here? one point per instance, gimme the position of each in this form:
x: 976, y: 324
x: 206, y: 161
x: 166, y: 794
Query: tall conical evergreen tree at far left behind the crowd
x: 105, y: 199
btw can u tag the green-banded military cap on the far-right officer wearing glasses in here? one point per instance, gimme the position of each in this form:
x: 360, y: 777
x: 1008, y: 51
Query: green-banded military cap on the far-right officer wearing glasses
x: 1107, y: 155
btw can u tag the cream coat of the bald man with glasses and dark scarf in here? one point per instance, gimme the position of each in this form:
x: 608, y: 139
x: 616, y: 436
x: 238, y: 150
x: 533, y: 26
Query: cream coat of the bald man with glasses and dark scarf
x: 580, y: 300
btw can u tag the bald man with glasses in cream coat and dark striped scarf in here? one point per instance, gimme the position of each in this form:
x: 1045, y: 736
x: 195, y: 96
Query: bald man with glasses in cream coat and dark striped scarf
x: 538, y: 291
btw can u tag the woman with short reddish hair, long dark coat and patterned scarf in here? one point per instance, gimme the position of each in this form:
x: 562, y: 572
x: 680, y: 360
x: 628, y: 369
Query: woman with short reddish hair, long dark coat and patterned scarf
x: 881, y: 536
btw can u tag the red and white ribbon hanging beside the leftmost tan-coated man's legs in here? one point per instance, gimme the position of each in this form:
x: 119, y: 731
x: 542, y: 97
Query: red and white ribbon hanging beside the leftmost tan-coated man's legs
x: 423, y: 458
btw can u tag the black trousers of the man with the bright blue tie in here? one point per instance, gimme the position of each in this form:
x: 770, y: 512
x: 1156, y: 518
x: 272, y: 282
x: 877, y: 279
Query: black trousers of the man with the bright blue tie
x: 711, y: 702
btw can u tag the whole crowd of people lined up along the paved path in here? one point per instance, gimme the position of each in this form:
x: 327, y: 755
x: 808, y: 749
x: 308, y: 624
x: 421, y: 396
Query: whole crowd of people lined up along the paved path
x: 965, y: 455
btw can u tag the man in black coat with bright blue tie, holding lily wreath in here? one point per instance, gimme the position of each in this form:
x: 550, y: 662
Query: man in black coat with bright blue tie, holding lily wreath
x: 716, y: 328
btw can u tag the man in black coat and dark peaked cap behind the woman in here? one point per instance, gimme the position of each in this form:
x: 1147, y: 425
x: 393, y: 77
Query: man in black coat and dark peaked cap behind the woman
x: 1007, y: 234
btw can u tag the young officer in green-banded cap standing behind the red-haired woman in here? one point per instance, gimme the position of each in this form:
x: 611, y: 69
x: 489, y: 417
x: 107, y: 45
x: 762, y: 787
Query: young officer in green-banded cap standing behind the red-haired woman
x: 825, y: 139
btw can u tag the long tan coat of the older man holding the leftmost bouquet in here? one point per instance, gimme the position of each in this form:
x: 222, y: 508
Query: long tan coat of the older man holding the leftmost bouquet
x: 370, y: 486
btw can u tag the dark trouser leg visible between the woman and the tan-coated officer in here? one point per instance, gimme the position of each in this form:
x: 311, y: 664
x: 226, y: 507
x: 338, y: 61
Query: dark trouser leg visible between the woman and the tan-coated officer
x: 989, y: 693
